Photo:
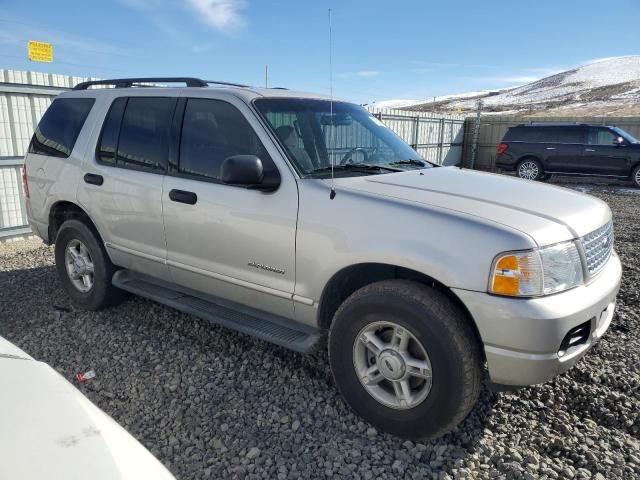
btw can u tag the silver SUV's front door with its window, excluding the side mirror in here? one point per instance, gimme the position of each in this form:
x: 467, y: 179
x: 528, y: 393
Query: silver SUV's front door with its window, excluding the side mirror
x: 227, y: 241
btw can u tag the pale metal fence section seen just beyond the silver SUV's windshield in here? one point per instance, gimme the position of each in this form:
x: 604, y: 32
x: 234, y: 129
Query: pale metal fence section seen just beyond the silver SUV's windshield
x: 437, y: 137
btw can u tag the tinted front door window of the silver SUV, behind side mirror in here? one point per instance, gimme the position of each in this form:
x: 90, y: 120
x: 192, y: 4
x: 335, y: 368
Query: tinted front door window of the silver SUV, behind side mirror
x: 213, y: 130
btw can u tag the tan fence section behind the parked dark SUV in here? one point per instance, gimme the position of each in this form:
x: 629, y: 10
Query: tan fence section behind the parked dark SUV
x: 493, y: 128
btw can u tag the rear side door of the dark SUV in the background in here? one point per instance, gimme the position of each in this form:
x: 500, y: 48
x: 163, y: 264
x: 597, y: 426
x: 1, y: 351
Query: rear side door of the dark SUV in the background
x: 563, y: 147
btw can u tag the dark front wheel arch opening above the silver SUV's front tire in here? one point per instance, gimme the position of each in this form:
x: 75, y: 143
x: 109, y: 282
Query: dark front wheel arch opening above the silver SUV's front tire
x: 353, y: 277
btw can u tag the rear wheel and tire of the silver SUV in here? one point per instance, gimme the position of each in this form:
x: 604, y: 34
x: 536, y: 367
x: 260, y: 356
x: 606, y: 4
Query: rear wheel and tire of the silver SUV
x: 77, y: 236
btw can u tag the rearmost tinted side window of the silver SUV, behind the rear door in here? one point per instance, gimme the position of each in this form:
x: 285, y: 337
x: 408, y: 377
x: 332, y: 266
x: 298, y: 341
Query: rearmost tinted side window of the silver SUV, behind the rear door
x: 60, y: 126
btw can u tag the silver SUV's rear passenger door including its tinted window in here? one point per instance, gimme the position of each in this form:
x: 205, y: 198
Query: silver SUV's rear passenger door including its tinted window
x: 122, y: 185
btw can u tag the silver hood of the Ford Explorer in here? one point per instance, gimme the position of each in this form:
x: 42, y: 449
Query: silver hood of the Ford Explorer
x: 548, y: 214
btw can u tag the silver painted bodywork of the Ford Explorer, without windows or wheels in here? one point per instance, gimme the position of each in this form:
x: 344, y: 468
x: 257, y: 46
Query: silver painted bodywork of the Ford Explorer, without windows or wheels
x: 446, y: 223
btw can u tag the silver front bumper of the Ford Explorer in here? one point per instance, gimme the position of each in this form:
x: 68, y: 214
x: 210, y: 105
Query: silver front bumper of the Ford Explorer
x: 522, y: 337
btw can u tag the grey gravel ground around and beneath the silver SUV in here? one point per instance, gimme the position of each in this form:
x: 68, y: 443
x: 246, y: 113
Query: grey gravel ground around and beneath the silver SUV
x: 211, y: 403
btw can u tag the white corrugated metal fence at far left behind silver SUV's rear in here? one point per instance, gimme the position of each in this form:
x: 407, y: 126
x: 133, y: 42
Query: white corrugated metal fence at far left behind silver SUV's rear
x: 24, y: 97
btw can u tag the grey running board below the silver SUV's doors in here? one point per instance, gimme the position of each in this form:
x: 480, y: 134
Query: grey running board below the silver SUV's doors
x: 272, y: 328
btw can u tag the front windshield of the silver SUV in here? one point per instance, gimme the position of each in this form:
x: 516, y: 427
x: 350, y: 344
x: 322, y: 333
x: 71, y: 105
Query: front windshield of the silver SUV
x: 315, y: 134
